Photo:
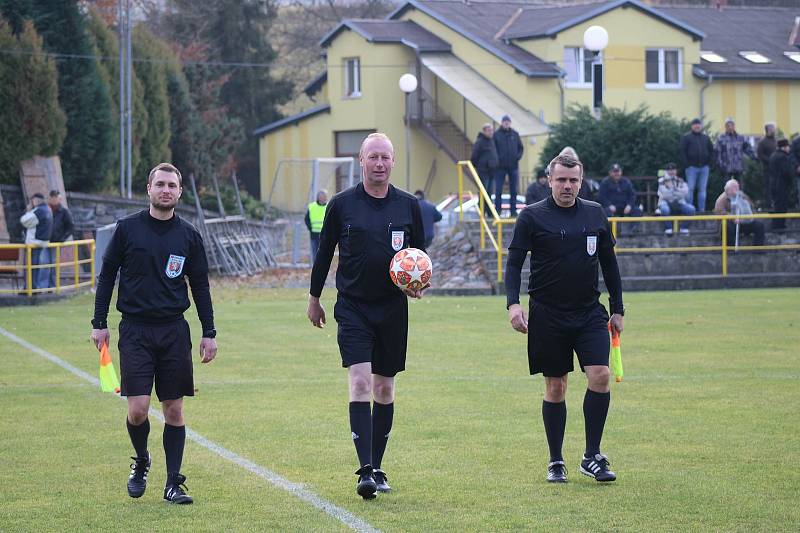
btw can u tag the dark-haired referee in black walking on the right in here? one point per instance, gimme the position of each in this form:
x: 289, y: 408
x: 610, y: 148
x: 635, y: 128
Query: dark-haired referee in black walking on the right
x: 567, y: 238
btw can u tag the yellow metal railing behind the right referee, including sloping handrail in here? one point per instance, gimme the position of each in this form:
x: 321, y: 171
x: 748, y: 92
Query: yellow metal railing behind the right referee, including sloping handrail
x: 499, y: 223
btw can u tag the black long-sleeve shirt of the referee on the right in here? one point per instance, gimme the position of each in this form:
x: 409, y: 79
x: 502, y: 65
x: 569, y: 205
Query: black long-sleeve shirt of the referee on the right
x: 566, y: 245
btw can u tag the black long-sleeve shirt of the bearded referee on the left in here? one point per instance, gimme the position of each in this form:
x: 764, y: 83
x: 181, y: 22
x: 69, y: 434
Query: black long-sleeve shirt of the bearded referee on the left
x: 153, y: 257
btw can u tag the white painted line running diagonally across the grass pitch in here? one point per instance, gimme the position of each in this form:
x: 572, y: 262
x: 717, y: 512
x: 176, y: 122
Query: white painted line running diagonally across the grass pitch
x: 295, y: 489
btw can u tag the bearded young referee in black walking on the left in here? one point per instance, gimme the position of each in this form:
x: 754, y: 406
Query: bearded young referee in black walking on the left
x: 154, y: 250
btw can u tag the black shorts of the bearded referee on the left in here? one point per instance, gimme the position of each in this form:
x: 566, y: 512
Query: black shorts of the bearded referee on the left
x: 160, y: 352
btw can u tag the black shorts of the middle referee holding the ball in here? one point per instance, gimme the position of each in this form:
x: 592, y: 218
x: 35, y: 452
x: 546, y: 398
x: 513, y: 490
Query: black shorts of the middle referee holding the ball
x: 375, y: 332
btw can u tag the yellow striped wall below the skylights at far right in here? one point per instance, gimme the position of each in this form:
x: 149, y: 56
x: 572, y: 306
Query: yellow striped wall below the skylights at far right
x: 752, y: 103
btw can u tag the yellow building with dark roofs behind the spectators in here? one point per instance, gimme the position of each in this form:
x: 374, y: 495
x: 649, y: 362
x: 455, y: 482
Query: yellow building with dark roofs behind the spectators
x: 479, y: 60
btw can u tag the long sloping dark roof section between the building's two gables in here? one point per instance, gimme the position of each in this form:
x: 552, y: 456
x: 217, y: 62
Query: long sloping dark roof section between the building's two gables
x: 480, y: 22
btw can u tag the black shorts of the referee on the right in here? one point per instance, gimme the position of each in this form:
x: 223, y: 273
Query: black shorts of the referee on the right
x: 553, y: 336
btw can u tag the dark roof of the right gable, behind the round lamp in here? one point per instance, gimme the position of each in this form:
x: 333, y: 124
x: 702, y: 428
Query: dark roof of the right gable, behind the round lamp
x: 547, y: 20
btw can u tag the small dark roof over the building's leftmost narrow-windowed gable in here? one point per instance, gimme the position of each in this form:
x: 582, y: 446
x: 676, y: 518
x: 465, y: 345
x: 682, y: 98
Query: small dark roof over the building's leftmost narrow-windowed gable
x: 391, y: 31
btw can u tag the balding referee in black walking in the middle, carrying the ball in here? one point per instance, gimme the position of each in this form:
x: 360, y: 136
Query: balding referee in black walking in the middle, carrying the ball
x: 370, y: 222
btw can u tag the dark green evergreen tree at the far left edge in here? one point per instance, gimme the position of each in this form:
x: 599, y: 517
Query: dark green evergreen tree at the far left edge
x: 31, y: 121
